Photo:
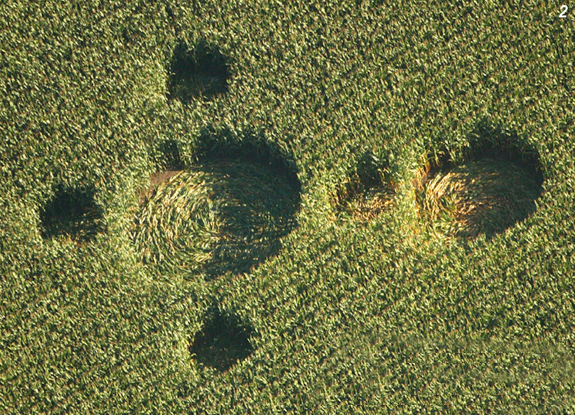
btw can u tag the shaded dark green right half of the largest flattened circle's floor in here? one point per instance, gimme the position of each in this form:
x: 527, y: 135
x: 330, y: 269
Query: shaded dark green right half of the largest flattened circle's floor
x: 256, y: 209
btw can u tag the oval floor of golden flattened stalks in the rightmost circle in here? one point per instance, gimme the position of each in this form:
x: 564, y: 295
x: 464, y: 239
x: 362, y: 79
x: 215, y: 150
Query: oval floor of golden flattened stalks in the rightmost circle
x: 483, y: 196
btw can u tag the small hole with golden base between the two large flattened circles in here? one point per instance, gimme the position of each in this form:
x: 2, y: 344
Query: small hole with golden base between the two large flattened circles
x: 367, y: 192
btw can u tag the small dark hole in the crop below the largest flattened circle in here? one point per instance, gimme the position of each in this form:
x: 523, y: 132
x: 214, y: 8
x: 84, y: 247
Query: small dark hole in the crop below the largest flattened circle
x: 221, y: 343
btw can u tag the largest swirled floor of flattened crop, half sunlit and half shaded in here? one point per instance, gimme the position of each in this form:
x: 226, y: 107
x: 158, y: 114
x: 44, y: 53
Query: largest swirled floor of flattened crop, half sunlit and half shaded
x: 216, y: 217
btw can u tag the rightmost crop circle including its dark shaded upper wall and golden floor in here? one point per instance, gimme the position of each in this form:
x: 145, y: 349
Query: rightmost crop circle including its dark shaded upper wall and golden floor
x: 485, y: 189
